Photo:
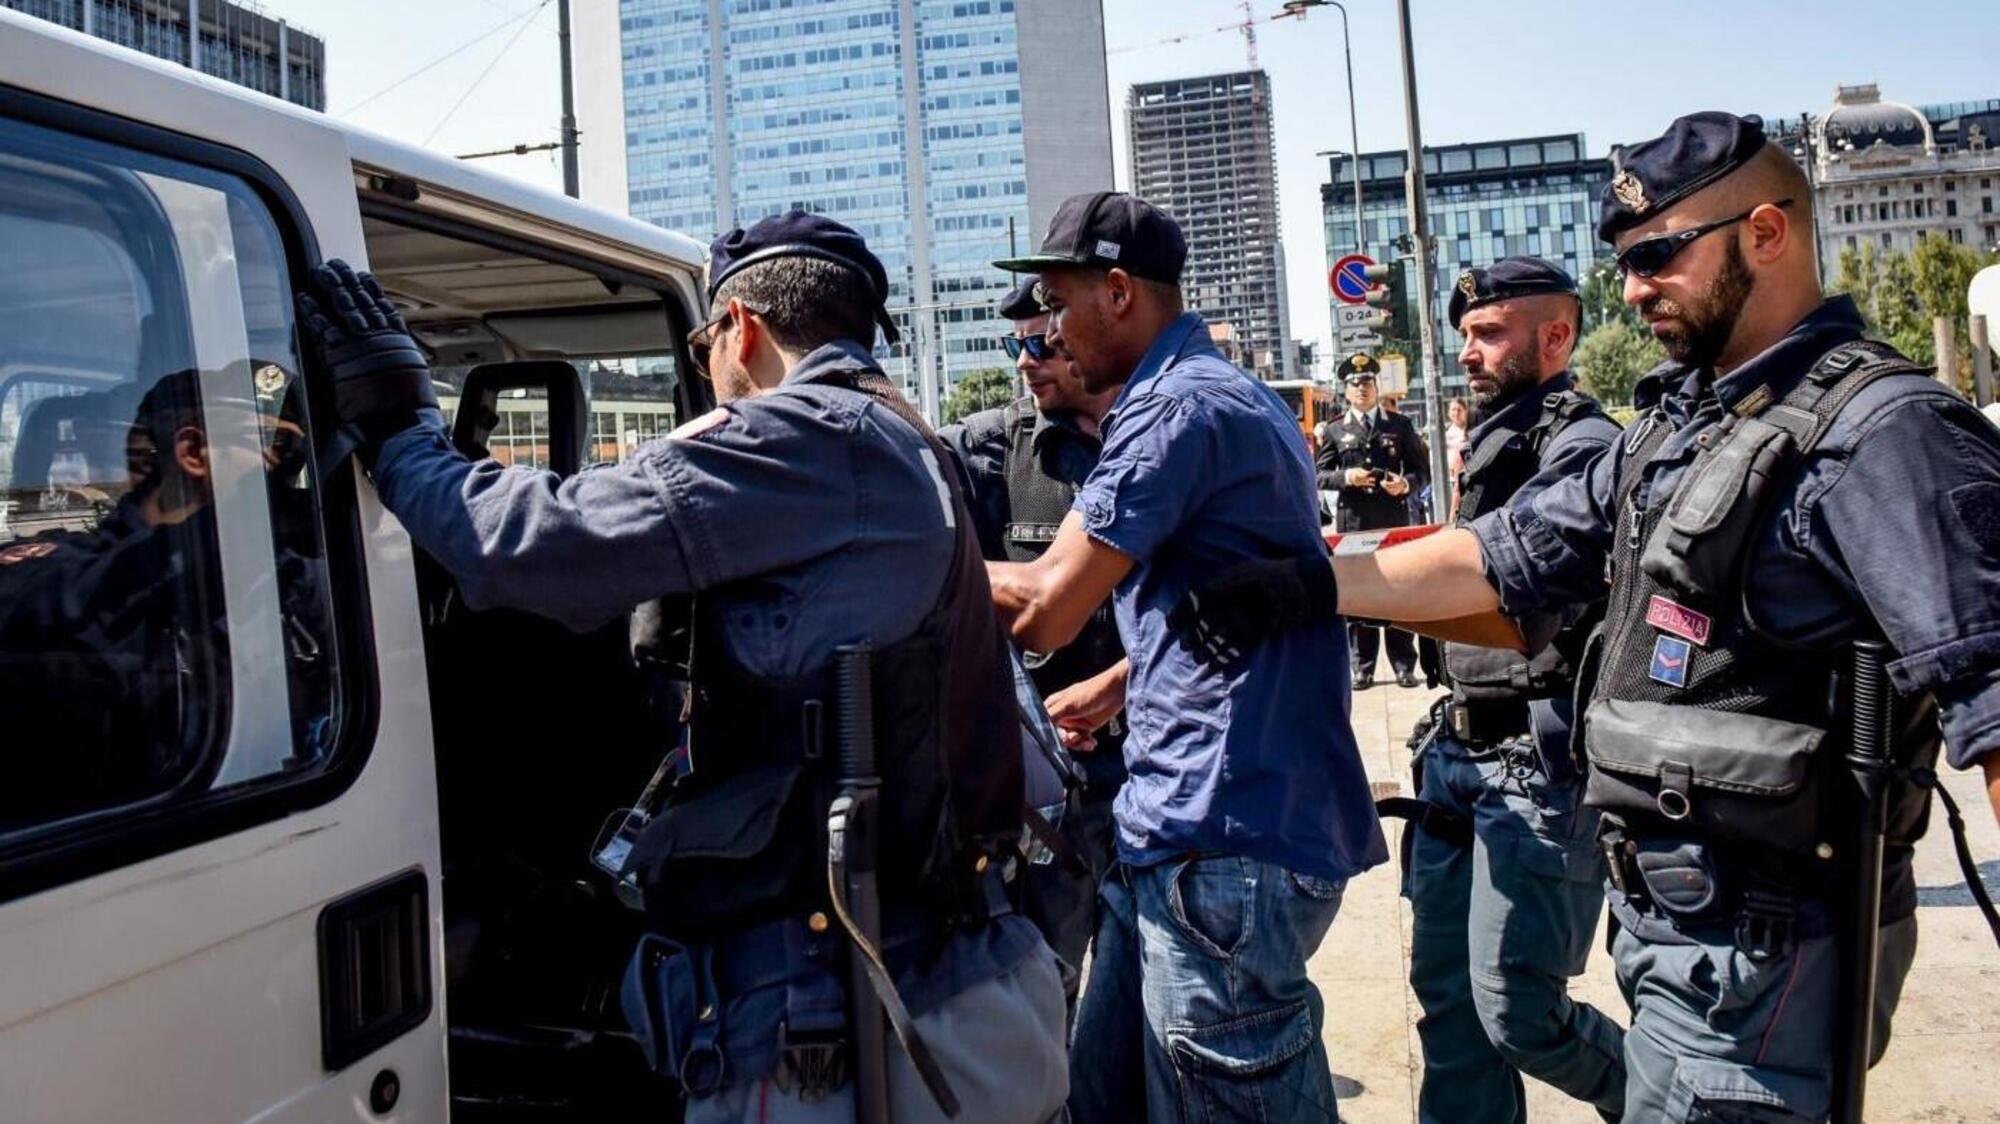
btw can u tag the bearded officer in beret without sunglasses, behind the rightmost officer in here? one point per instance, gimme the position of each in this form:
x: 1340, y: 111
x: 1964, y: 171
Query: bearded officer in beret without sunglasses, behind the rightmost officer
x: 1503, y: 869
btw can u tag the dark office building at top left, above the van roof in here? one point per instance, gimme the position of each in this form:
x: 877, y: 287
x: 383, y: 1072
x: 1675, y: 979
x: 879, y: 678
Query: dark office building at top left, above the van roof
x: 237, y: 43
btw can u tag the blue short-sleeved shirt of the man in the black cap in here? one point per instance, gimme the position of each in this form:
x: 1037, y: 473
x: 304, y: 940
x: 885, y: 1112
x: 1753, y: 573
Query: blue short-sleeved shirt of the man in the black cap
x: 1205, y: 467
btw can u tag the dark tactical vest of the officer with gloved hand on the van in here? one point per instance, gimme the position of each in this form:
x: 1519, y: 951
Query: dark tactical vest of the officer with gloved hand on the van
x: 743, y: 837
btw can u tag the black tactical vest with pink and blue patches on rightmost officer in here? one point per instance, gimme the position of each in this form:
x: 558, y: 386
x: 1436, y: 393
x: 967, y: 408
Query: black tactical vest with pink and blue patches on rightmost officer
x: 1701, y: 723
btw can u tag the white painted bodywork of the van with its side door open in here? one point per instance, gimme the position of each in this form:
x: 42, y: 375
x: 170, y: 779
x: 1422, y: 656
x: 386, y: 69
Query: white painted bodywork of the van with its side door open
x: 187, y: 981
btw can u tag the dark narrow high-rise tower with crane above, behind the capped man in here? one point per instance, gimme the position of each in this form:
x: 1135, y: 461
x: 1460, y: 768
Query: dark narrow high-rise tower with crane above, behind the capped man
x: 1203, y: 151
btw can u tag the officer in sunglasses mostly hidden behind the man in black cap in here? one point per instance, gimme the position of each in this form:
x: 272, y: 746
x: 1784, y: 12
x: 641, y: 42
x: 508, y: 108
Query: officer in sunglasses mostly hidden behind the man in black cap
x: 1023, y: 465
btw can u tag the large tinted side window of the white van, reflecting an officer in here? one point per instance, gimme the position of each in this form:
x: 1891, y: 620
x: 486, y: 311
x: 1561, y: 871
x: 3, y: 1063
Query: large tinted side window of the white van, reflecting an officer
x: 165, y: 619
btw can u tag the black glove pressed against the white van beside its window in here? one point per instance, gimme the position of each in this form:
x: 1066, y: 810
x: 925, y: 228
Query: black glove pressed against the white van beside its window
x: 381, y: 379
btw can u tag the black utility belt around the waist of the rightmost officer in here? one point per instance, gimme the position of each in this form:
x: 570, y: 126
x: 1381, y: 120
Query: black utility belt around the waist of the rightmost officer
x: 1675, y: 883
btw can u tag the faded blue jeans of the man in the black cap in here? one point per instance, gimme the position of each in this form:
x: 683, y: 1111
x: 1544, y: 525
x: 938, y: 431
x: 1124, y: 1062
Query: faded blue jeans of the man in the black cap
x: 1199, y: 1007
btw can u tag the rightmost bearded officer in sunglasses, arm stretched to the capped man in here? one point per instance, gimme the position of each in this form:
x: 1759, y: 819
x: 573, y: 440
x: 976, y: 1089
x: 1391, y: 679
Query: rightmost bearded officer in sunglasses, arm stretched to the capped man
x: 1787, y: 491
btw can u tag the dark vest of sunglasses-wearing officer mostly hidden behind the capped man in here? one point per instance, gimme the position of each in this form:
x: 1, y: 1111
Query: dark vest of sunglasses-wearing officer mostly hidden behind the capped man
x: 1037, y: 507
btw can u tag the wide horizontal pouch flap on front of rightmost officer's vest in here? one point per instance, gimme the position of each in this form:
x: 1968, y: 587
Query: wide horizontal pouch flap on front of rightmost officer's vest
x: 1713, y: 749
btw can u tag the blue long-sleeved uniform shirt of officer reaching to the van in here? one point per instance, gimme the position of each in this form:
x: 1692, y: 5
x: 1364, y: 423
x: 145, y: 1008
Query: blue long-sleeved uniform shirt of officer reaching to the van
x: 823, y: 511
